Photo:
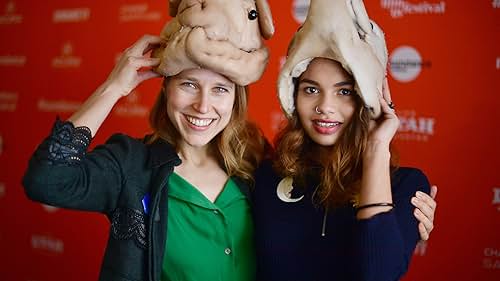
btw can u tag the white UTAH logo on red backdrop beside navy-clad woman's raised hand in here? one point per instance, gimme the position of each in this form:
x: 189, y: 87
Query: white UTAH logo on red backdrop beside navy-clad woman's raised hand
x: 413, y: 127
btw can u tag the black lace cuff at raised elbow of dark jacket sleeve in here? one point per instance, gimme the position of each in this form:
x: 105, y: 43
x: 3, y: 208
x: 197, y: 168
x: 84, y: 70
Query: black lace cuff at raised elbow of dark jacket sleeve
x: 66, y: 144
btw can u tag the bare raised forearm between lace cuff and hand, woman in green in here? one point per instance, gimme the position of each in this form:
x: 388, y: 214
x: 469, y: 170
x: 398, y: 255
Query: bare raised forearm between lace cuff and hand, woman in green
x: 96, y: 108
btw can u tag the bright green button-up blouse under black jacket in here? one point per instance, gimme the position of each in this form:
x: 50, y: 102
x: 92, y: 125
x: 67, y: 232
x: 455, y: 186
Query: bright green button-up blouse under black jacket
x: 205, y: 240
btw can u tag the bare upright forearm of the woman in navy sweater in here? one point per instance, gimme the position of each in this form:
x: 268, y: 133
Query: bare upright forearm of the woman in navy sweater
x: 376, y: 180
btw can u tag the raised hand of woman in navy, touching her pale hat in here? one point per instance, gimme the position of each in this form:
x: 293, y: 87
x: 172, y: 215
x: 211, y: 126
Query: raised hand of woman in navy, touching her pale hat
x: 385, y: 127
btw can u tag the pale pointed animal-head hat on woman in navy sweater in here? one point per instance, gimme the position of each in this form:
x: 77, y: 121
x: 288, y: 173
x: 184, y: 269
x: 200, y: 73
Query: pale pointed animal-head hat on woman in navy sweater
x: 338, y: 30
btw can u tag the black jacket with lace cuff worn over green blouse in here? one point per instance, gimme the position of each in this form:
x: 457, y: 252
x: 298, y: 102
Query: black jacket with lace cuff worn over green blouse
x: 116, y: 179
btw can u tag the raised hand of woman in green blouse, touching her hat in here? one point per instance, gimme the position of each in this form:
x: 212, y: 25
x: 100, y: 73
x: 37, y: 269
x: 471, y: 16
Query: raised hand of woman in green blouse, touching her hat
x: 134, y: 66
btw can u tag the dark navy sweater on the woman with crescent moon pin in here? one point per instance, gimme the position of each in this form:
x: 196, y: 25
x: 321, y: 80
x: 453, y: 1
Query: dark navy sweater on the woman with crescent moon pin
x: 290, y: 245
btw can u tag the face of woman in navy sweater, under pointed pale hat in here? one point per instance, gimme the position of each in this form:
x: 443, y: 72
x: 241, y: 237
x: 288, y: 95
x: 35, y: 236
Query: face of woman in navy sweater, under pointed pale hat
x: 325, y: 100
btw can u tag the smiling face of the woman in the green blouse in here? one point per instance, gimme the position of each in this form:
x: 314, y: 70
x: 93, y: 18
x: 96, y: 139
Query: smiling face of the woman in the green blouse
x: 199, y: 105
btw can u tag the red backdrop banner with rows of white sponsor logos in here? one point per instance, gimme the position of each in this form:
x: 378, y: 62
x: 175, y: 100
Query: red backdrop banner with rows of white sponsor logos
x: 445, y: 81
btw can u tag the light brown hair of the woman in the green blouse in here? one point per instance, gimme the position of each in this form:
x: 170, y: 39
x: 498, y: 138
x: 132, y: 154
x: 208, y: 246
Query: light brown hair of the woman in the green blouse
x: 239, y: 148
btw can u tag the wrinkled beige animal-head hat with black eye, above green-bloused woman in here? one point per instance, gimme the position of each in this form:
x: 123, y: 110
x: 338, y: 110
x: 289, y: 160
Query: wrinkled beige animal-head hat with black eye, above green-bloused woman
x: 221, y: 35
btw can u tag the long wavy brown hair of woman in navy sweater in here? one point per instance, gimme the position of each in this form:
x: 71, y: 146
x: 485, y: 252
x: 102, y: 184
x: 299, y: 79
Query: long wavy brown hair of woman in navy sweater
x: 334, y: 171
